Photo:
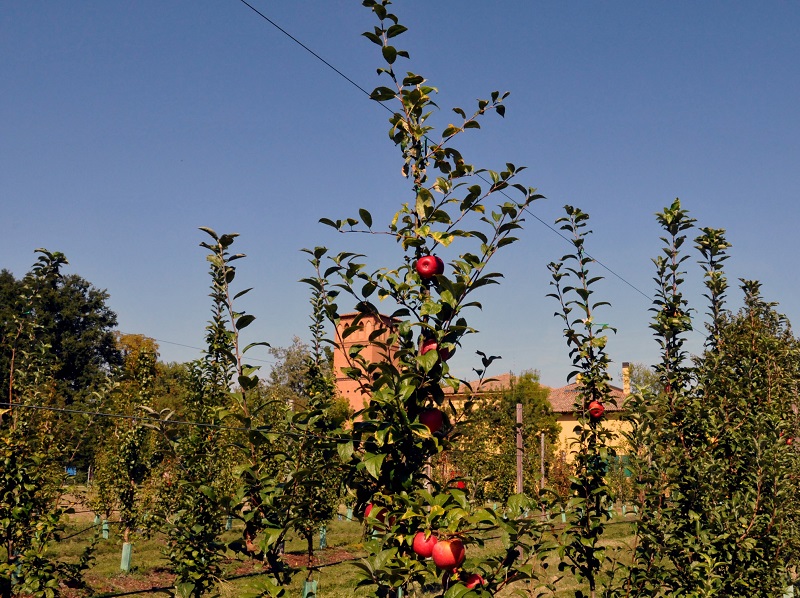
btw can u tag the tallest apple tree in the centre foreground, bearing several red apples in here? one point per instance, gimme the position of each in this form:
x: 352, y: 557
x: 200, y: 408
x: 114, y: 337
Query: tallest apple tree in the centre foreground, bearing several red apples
x: 459, y: 214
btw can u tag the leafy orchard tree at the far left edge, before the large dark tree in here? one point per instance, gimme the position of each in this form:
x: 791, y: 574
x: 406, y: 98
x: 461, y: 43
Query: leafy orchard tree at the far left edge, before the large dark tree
x: 32, y: 446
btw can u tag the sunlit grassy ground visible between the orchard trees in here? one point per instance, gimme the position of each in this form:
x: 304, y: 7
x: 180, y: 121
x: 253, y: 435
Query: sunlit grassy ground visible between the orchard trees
x: 150, y: 569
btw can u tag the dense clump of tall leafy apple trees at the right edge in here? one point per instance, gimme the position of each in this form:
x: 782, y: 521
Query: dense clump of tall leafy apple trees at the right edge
x: 714, y: 452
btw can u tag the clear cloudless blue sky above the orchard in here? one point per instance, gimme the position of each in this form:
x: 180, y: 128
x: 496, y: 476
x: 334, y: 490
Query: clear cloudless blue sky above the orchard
x: 127, y: 125
